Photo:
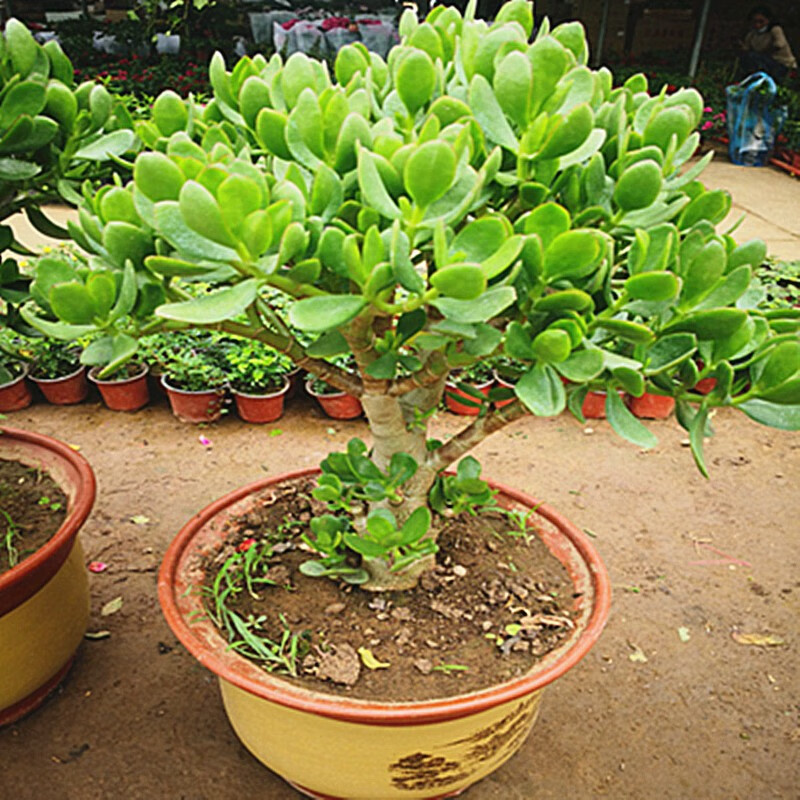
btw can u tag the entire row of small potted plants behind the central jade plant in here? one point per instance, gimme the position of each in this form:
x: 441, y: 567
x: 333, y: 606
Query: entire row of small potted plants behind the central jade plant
x: 195, y: 371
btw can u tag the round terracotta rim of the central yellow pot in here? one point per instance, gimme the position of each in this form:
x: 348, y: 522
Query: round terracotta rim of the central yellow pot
x: 370, y: 711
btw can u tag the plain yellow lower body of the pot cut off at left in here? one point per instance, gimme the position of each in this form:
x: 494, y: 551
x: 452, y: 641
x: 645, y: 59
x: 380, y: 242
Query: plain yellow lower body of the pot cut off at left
x: 39, y: 638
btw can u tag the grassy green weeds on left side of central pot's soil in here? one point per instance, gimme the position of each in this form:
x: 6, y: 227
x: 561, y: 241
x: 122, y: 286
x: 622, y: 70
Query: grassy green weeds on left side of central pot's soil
x: 244, y: 572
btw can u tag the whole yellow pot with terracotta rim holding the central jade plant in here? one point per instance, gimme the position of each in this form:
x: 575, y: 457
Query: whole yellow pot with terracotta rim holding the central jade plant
x: 336, y: 747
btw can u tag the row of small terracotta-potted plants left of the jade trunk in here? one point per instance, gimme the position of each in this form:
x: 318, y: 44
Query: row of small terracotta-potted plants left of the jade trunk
x: 194, y: 370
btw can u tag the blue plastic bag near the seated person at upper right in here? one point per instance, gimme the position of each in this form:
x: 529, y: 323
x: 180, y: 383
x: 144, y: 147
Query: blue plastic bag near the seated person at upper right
x: 754, y: 120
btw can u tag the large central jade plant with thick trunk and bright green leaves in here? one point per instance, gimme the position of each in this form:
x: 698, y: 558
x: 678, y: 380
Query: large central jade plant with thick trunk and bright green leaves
x: 480, y: 193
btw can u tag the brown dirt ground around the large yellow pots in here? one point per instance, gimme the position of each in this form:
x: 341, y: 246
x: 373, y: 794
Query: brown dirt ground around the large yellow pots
x: 694, y: 714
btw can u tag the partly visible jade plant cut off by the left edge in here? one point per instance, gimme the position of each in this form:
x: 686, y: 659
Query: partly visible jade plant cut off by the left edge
x: 53, y: 136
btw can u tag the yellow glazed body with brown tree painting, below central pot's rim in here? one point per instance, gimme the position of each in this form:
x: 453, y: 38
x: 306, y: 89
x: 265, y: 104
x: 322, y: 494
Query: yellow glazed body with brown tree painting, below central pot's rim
x: 414, y: 761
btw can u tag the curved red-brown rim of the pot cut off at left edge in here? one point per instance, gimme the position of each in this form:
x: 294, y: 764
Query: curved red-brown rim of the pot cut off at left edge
x: 11, y: 580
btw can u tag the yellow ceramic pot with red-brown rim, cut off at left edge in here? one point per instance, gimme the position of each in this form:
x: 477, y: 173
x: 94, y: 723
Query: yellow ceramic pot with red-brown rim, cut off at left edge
x: 44, y: 600
